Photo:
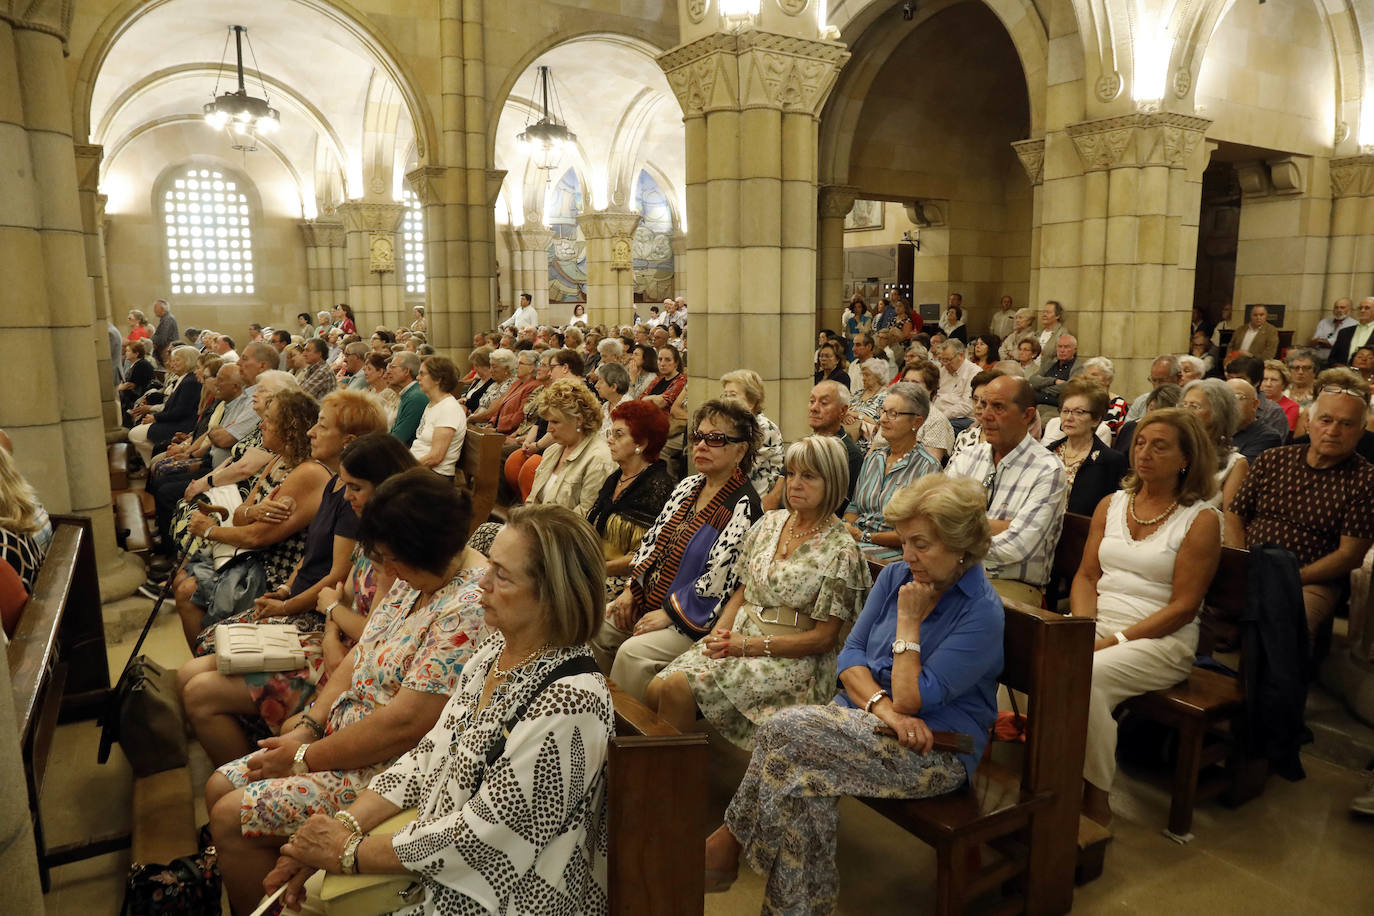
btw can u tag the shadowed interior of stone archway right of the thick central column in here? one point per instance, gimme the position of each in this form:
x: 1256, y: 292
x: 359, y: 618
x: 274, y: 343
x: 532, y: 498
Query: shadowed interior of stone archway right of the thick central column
x: 917, y: 124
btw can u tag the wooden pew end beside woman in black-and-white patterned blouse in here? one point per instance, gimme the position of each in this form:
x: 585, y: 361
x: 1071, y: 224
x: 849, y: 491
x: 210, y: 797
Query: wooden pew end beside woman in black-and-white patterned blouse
x: 656, y: 814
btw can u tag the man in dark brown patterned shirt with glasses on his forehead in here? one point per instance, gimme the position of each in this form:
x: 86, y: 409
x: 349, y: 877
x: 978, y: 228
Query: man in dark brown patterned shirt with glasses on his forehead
x: 1316, y: 501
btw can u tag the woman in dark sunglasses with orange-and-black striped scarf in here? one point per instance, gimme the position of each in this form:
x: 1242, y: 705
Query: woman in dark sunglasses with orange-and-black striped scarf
x: 688, y: 564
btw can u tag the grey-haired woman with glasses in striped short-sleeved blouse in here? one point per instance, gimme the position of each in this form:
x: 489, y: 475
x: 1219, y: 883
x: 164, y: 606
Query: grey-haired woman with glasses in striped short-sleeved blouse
x: 891, y: 466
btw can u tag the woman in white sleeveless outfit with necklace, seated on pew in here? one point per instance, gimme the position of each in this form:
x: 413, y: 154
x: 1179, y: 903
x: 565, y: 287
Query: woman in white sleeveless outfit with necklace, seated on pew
x: 1152, y: 553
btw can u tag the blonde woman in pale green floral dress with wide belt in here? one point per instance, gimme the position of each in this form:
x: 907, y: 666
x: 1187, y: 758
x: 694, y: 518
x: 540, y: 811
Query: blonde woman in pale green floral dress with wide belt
x: 776, y: 643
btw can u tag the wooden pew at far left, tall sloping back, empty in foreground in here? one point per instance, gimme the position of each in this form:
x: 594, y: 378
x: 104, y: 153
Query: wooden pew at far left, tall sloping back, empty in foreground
x: 58, y: 669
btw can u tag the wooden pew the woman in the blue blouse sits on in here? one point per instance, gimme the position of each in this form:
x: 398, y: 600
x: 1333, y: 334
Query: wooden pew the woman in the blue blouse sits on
x: 1031, y: 819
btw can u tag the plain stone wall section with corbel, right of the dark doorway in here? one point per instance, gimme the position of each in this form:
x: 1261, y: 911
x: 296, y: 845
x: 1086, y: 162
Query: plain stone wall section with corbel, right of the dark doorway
x: 1283, y: 241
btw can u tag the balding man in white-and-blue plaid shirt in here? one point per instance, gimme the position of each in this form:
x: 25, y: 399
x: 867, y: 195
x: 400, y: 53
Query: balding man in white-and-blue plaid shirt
x: 1027, y: 490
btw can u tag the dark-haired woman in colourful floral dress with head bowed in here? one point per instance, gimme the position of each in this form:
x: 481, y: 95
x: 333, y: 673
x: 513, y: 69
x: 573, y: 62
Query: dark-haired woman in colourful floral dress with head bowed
x: 384, y: 698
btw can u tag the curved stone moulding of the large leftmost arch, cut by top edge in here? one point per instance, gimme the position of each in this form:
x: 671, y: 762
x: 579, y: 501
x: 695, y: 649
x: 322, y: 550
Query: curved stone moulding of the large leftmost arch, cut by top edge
x: 343, y: 14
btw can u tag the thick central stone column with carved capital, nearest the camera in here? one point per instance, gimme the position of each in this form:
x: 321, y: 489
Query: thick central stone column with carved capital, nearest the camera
x: 751, y: 102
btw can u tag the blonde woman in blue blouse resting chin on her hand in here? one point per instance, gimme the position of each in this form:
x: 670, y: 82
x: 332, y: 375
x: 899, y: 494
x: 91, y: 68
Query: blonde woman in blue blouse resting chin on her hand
x: 924, y: 657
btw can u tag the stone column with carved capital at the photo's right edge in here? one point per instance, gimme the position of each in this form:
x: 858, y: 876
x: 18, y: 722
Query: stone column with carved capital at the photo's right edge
x: 1350, y: 266
